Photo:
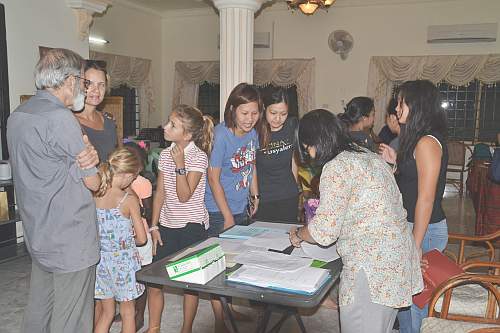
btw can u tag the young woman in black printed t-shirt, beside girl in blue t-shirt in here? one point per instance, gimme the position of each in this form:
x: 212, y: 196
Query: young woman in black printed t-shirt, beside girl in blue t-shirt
x: 276, y: 165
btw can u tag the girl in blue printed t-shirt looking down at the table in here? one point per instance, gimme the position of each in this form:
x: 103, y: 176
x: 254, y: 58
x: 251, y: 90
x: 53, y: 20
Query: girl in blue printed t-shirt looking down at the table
x: 232, y: 173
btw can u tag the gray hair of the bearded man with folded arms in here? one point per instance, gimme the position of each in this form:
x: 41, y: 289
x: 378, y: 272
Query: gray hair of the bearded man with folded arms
x: 55, y: 66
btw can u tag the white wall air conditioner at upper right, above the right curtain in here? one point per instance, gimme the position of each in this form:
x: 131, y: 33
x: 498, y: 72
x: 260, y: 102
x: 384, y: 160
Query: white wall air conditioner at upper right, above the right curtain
x: 462, y: 33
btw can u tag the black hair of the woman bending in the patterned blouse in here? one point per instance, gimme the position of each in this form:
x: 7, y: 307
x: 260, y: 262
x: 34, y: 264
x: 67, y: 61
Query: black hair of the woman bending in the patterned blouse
x: 324, y: 131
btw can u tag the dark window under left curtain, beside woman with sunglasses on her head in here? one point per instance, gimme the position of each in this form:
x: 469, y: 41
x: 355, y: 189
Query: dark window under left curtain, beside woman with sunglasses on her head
x: 131, y: 116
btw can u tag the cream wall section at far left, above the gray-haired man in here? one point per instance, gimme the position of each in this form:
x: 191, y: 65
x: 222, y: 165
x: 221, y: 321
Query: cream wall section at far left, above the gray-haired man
x: 33, y: 23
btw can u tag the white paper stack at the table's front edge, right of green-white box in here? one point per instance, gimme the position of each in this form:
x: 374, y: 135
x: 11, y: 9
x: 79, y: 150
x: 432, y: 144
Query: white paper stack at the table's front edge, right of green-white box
x: 304, y: 281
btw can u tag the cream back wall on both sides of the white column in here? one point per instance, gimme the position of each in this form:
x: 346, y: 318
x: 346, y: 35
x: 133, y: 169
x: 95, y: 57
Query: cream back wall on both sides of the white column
x: 388, y: 28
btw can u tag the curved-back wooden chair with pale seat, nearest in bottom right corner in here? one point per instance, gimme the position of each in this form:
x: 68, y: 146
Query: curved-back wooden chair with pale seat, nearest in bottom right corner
x: 446, y: 322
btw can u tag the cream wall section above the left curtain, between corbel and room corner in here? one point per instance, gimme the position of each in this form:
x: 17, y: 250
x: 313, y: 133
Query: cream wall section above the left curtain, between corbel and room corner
x: 134, y: 33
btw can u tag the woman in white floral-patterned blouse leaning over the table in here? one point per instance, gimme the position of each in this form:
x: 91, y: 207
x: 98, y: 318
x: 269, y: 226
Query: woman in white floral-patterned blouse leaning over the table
x: 360, y: 209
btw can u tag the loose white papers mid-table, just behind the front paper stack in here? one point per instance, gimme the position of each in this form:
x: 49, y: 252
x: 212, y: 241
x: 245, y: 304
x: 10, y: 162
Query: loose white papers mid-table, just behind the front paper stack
x: 273, y: 260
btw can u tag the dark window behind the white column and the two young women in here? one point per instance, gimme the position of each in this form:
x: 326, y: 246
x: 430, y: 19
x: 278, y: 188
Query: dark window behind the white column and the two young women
x: 208, y: 99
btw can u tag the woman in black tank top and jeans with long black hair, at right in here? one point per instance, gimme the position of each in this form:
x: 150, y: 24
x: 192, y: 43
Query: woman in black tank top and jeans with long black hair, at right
x: 421, y: 162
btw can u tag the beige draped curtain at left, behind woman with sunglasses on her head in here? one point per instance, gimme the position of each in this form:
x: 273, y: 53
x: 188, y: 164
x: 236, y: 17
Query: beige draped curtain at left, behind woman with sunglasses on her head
x: 133, y: 72
